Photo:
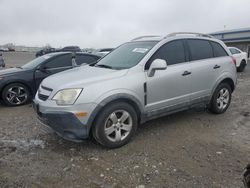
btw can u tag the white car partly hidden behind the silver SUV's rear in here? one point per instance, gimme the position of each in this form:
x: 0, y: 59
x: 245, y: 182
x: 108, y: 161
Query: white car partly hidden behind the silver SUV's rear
x: 241, y: 58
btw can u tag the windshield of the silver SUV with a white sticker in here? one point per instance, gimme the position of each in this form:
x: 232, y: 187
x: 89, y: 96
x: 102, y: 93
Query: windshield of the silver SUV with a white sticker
x: 127, y: 55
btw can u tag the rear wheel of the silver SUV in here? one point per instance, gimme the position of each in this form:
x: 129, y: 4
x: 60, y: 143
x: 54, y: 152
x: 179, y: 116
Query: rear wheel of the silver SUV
x: 221, y: 99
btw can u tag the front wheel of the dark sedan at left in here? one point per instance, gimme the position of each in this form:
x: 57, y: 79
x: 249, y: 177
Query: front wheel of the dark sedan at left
x: 16, y: 94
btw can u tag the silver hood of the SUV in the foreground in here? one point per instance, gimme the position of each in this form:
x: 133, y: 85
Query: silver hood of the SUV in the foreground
x: 81, y: 76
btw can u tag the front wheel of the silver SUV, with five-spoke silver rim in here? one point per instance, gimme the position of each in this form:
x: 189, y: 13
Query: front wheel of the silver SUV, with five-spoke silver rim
x: 110, y: 130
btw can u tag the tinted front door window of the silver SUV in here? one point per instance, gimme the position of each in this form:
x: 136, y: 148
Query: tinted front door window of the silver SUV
x: 173, y: 52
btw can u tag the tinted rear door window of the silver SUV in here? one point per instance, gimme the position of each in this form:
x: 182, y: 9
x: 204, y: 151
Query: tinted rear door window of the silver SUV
x: 200, y: 49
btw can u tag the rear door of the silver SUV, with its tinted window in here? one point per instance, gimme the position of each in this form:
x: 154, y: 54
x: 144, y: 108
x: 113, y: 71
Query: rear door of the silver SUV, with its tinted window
x: 206, y: 67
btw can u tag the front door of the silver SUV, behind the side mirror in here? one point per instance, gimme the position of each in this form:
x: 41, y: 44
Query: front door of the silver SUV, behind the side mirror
x: 169, y: 89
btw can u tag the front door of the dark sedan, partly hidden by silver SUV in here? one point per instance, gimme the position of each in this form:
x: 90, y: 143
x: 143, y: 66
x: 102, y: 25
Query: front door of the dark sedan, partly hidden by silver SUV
x: 54, y: 65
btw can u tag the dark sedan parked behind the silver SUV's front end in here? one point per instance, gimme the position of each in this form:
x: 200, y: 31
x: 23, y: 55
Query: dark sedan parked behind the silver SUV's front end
x: 18, y: 85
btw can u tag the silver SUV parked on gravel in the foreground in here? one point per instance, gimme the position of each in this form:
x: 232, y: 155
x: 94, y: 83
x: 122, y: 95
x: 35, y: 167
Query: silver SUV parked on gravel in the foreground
x: 146, y: 78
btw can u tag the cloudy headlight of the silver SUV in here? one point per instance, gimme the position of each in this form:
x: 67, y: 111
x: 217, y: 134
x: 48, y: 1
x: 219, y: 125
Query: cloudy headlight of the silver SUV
x: 67, y: 96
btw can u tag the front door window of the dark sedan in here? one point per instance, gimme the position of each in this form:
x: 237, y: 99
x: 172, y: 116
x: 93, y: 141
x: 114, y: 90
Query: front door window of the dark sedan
x: 59, y: 61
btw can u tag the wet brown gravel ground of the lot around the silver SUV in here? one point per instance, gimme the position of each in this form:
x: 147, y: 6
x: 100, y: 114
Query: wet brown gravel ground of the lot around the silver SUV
x: 188, y: 149
